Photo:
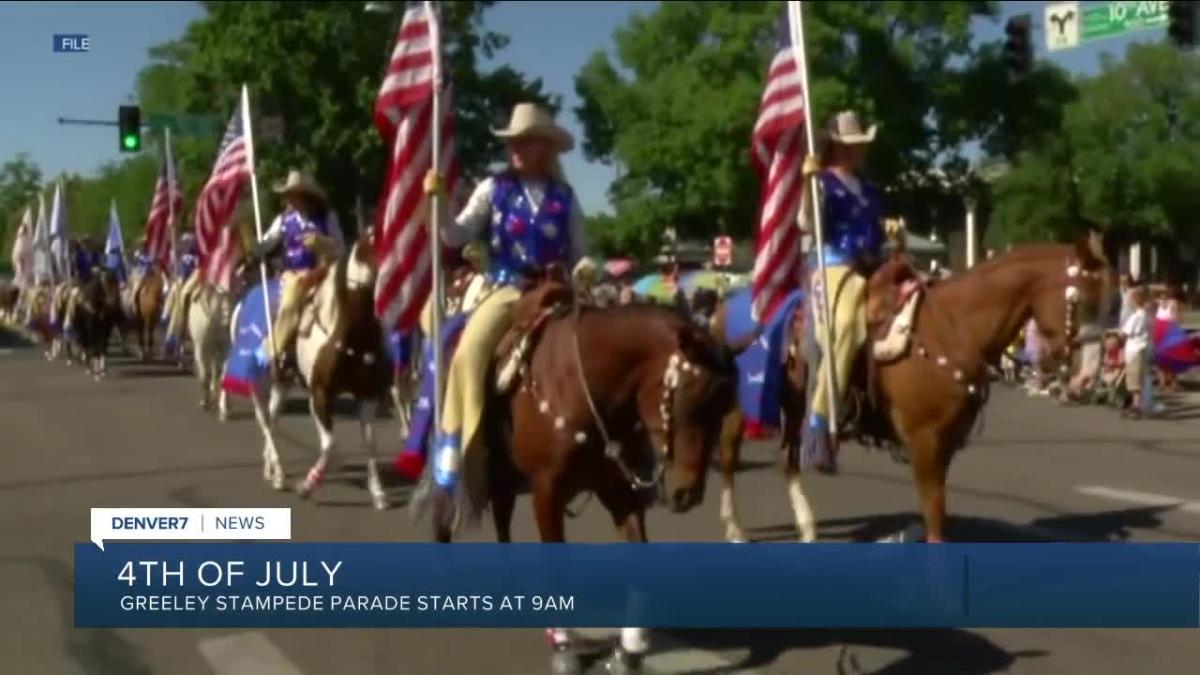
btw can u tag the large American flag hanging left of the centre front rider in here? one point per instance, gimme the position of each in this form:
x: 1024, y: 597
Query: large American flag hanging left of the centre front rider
x: 404, y: 116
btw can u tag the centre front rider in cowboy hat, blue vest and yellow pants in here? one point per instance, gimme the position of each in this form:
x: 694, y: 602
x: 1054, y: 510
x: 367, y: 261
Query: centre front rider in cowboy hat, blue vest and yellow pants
x: 531, y: 219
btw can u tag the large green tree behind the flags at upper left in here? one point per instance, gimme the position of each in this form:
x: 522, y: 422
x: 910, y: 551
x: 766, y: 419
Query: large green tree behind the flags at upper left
x: 319, y: 67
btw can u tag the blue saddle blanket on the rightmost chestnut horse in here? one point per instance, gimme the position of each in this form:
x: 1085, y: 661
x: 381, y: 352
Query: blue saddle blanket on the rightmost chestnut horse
x: 760, y: 367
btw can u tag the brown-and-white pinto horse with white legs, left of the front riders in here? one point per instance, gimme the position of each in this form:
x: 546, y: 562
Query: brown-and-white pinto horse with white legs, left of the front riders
x: 340, y: 351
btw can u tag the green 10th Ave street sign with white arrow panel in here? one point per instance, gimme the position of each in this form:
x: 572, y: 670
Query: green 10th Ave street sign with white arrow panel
x: 1067, y: 25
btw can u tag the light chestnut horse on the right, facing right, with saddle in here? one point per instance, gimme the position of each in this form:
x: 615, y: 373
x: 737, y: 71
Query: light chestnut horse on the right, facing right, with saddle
x: 929, y: 396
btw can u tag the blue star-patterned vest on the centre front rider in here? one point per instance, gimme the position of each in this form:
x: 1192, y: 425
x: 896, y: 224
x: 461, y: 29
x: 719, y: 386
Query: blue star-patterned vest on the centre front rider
x: 524, y: 241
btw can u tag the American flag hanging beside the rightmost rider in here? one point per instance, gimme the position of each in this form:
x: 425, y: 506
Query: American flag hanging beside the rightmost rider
x: 778, y: 151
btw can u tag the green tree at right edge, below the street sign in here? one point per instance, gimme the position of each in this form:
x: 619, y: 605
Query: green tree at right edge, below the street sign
x: 1126, y: 156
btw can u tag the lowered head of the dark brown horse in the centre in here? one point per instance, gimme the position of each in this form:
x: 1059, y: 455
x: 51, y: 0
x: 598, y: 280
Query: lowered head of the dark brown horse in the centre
x: 700, y: 386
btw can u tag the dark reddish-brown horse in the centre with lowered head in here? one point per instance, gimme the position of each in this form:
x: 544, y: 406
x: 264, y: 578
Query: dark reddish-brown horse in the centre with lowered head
x: 609, y: 402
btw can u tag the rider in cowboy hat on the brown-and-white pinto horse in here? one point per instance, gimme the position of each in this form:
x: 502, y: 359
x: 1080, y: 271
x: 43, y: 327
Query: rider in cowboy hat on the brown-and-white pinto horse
x: 311, y: 237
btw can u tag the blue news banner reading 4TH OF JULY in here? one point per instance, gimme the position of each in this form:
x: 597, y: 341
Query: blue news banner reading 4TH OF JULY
x: 393, y: 586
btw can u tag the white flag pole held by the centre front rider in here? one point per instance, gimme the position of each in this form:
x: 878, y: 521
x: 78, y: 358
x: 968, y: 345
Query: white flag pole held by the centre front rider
x: 436, y: 205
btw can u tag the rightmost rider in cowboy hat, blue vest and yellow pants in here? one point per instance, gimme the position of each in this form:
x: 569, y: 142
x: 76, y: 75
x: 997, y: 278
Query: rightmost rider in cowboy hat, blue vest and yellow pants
x: 854, y: 248
